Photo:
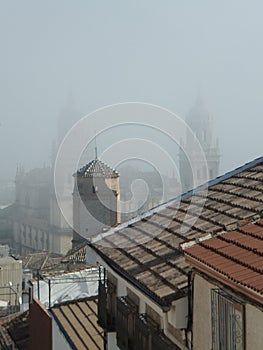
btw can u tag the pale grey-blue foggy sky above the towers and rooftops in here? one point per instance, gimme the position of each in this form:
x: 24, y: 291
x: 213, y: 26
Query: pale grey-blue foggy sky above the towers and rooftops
x: 161, y: 52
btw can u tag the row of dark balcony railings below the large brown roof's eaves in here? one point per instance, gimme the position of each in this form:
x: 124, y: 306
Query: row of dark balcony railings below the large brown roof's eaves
x: 134, y: 331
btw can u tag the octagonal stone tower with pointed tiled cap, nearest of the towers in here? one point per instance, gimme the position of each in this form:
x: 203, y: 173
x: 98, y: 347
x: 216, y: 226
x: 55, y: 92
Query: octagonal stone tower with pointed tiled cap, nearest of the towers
x: 96, y: 200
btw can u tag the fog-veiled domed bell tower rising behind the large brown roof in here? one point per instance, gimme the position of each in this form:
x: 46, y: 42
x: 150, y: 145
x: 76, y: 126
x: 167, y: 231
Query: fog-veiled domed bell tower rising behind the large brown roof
x: 200, y: 121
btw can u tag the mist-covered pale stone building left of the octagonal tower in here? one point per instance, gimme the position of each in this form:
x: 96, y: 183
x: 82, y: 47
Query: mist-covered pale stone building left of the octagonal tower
x: 38, y: 224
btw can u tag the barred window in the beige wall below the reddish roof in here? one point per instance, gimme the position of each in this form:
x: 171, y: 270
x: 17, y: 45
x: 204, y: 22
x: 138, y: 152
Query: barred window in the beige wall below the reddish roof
x: 227, y: 321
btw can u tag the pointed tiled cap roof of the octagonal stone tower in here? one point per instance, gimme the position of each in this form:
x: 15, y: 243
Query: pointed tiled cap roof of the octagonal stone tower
x: 97, y: 168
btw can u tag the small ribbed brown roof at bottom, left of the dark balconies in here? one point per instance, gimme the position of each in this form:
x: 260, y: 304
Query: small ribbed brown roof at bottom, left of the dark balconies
x: 78, y: 322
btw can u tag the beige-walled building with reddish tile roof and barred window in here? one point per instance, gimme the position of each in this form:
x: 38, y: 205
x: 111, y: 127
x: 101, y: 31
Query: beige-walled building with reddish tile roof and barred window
x: 227, y: 289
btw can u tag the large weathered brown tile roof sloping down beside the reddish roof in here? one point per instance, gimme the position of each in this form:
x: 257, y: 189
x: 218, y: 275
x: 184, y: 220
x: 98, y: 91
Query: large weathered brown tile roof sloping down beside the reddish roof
x: 157, y: 267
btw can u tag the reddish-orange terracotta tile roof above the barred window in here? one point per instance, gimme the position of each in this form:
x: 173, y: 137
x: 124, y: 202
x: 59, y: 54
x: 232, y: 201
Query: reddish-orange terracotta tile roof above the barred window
x: 235, y: 257
